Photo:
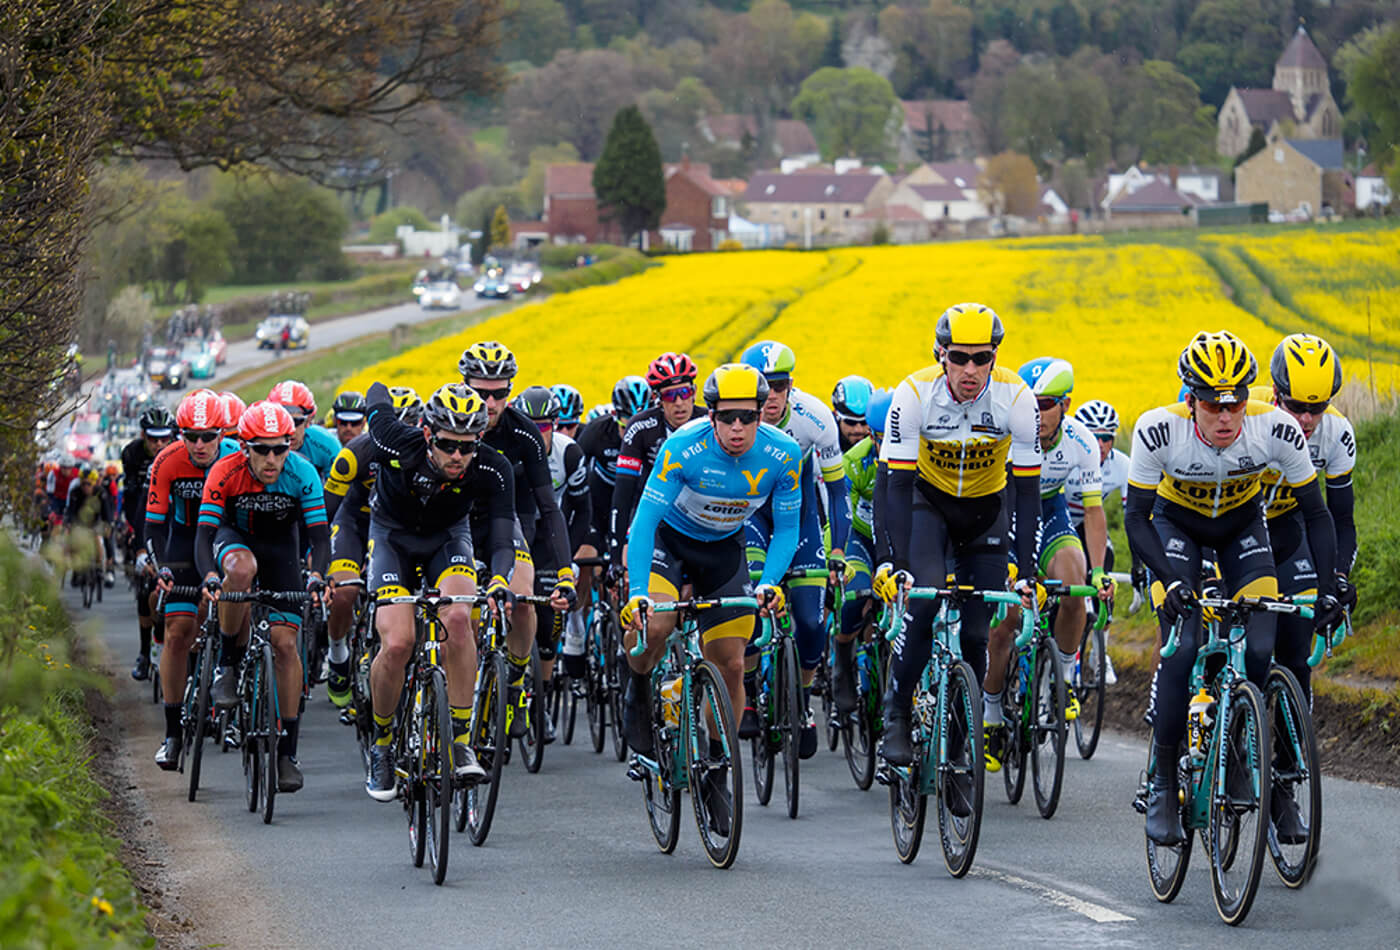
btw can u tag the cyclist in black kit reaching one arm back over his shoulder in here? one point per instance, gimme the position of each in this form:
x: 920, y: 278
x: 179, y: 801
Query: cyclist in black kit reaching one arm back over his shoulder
x: 432, y: 476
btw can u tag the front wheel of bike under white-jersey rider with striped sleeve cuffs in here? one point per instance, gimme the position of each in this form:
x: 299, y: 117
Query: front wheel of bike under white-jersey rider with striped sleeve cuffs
x: 962, y: 728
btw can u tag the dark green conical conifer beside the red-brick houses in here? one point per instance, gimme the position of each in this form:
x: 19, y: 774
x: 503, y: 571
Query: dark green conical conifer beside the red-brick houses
x: 628, y: 178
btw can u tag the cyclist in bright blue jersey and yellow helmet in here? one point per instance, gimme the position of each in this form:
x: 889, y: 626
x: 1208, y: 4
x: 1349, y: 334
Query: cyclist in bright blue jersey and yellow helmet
x: 710, y: 476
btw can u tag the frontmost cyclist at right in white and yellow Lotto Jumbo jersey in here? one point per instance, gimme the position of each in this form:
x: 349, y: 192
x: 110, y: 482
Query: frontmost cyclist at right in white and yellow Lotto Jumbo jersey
x: 1195, y: 483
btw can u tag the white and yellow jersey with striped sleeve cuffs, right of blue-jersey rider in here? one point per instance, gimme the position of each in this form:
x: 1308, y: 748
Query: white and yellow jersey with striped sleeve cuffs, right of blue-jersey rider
x: 962, y: 448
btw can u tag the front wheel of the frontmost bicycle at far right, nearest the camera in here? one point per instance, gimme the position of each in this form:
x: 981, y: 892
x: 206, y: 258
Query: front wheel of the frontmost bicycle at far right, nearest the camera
x: 1242, y: 751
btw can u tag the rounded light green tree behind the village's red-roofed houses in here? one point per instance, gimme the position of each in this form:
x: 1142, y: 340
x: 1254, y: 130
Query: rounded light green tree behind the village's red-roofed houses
x: 852, y: 113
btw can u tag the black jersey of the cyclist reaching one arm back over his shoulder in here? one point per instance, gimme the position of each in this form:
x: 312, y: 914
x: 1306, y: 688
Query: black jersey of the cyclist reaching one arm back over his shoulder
x: 412, y: 496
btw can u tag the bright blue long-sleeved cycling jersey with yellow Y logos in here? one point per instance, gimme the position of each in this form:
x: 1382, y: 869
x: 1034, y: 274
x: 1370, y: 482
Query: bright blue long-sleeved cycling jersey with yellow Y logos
x: 705, y: 493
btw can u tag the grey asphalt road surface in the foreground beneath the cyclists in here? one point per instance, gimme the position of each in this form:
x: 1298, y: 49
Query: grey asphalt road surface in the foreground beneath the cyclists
x: 570, y: 860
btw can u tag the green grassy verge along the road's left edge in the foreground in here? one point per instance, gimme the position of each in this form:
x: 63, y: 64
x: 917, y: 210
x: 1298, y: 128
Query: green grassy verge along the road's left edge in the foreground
x: 62, y: 884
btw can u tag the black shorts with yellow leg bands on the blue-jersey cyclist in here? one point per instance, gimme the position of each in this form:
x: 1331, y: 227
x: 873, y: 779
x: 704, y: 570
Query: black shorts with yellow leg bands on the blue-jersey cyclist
x: 715, y: 569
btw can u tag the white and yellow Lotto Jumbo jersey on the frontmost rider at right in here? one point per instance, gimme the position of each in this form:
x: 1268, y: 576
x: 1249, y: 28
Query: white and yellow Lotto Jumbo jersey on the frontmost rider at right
x: 1172, y: 458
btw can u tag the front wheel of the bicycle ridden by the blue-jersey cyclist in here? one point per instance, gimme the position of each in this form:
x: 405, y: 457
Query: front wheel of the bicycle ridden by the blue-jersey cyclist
x: 713, y: 777
